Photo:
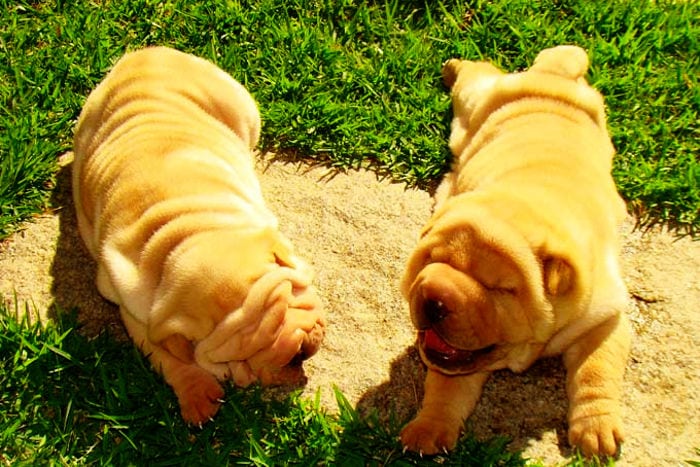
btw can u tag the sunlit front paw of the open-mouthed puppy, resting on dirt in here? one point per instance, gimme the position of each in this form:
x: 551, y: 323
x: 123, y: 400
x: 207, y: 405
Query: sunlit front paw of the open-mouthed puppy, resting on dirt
x: 596, y: 435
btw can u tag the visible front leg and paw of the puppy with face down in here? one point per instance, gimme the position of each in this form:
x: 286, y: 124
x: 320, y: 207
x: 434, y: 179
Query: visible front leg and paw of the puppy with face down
x: 198, y: 391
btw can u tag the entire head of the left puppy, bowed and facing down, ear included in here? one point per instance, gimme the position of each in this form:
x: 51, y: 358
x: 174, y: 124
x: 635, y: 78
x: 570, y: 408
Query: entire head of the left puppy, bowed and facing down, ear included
x: 249, y: 308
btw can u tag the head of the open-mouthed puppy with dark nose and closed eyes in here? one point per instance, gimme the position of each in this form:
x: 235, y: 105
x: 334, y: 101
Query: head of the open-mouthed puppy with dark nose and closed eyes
x: 479, y: 297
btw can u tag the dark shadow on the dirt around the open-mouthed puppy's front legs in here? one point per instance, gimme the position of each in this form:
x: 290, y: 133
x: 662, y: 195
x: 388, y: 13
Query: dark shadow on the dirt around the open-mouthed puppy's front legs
x: 524, y: 408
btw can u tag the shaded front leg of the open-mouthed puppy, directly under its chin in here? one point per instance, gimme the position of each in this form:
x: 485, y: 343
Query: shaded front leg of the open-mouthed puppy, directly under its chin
x: 447, y: 403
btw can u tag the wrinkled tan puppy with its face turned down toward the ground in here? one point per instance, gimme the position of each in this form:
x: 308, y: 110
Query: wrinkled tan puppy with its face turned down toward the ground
x: 168, y: 204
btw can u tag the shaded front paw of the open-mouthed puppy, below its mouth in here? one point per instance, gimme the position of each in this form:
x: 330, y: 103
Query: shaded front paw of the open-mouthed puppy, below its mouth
x: 427, y: 435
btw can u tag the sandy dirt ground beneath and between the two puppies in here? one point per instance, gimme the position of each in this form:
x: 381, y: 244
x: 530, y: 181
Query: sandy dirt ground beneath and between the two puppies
x: 358, y: 231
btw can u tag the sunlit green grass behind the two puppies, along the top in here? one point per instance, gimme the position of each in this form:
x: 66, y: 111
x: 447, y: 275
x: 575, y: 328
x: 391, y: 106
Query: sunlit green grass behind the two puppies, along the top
x: 349, y: 83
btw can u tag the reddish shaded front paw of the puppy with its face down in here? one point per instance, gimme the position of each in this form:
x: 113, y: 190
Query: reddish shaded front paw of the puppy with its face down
x: 200, y: 398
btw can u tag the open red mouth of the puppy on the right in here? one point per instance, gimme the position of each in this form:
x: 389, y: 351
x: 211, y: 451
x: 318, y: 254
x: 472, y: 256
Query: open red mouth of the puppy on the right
x: 443, y: 355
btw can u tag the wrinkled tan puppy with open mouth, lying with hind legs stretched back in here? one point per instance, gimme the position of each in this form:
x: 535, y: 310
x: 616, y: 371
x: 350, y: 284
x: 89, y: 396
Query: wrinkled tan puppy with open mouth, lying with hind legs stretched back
x: 520, y: 258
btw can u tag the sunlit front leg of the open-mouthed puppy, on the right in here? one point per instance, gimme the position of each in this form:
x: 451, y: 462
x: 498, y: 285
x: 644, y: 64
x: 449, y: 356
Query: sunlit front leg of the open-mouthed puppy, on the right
x: 595, y: 366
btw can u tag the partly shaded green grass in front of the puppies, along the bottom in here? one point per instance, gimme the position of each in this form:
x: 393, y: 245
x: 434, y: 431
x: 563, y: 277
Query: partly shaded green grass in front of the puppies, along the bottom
x: 67, y: 400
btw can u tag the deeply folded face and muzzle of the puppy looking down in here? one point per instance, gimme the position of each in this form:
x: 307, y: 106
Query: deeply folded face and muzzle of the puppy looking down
x: 279, y: 324
